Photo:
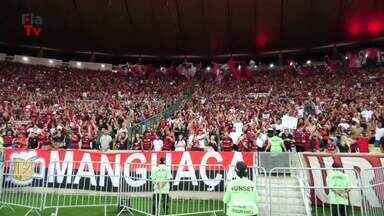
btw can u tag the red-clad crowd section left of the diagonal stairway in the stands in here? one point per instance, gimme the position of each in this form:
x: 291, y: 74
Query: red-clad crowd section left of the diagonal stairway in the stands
x: 48, y: 107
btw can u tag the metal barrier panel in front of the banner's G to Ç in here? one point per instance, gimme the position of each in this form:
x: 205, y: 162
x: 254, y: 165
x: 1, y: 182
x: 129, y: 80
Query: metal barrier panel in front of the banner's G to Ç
x: 193, y: 189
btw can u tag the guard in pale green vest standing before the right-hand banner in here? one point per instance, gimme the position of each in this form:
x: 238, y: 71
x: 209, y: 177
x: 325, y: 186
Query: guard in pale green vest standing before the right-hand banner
x: 338, y: 183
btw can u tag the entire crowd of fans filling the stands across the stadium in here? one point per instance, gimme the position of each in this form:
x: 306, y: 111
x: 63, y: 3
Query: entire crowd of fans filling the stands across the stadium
x: 68, y: 108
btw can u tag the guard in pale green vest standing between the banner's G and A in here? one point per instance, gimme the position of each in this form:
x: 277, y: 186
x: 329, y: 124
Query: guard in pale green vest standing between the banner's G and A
x: 161, y: 177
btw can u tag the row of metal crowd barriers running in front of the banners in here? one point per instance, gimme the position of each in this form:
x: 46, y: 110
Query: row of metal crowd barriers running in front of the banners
x: 194, y: 189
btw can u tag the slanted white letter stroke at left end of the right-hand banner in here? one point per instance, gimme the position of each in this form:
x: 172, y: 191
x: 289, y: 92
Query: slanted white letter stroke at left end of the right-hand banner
x: 317, y: 177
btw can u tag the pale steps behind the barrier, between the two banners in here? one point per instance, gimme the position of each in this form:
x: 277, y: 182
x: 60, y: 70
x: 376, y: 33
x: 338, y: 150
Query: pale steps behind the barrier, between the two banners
x: 286, y: 196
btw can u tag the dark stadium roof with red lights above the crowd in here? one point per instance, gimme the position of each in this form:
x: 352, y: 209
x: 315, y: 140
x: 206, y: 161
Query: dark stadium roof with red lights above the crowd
x: 191, y: 27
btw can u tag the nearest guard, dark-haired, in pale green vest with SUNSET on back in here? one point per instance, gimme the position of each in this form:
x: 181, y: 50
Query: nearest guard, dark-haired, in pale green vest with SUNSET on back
x: 241, y: 196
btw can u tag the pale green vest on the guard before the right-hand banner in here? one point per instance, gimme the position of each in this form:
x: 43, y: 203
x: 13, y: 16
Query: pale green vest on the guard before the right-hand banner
x: 339, y: 181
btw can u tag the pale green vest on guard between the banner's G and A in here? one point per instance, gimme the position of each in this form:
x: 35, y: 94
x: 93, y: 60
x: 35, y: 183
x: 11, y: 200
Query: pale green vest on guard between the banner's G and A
x: 161, y: 177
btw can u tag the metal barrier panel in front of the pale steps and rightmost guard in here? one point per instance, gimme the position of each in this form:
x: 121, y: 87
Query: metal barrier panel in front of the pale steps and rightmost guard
x: 293, y: 191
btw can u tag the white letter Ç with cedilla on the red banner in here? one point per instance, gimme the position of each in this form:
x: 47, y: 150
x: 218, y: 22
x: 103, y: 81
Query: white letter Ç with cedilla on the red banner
x: 212, y: 183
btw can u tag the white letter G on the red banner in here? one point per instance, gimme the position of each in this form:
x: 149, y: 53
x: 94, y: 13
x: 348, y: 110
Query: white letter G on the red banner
x: 142, y: 172
